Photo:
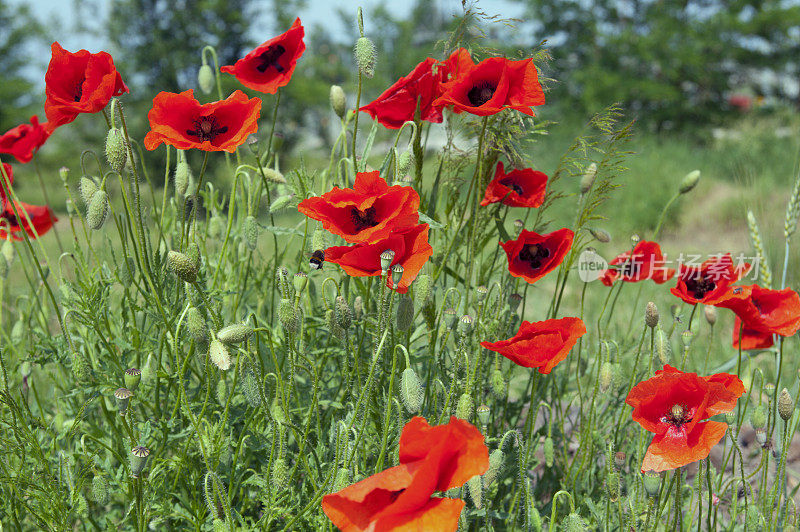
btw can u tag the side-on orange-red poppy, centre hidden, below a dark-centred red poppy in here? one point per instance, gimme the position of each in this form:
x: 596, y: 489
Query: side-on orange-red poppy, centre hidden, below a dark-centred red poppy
x: 541, y: 344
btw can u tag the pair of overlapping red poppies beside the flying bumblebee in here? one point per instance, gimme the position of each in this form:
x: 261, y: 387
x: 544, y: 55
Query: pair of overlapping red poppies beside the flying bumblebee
x: 377, y: 218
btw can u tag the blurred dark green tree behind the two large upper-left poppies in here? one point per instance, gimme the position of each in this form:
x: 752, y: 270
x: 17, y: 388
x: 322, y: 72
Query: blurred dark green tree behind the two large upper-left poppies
x: 161, y: 40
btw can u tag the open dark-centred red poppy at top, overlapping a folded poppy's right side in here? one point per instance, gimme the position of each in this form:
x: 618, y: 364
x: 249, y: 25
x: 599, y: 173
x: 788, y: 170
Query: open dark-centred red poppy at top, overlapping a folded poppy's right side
x: 493, y: 85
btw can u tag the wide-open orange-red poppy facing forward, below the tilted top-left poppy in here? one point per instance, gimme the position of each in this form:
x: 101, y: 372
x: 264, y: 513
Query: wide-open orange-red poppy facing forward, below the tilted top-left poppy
x: 181, y: 121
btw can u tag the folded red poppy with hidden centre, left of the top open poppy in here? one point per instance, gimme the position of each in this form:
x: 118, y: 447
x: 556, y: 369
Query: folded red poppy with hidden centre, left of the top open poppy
x: 398, y: 104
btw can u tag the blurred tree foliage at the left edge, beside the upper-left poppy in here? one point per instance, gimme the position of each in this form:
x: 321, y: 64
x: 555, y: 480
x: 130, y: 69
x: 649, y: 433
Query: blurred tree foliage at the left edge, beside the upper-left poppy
x: 18, y: 31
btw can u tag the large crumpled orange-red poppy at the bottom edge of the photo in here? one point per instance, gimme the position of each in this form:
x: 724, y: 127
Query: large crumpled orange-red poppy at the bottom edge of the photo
x: 401, y: 497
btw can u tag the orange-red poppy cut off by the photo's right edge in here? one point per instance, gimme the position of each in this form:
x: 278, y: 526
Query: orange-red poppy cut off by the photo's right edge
x: 765, y: 310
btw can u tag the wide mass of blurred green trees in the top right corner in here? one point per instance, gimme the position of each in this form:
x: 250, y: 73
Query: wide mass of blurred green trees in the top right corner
x: 669, y: 62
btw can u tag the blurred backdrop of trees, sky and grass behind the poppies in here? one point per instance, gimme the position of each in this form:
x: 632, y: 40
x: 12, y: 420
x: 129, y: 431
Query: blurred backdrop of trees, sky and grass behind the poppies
x: 711, y: 84
